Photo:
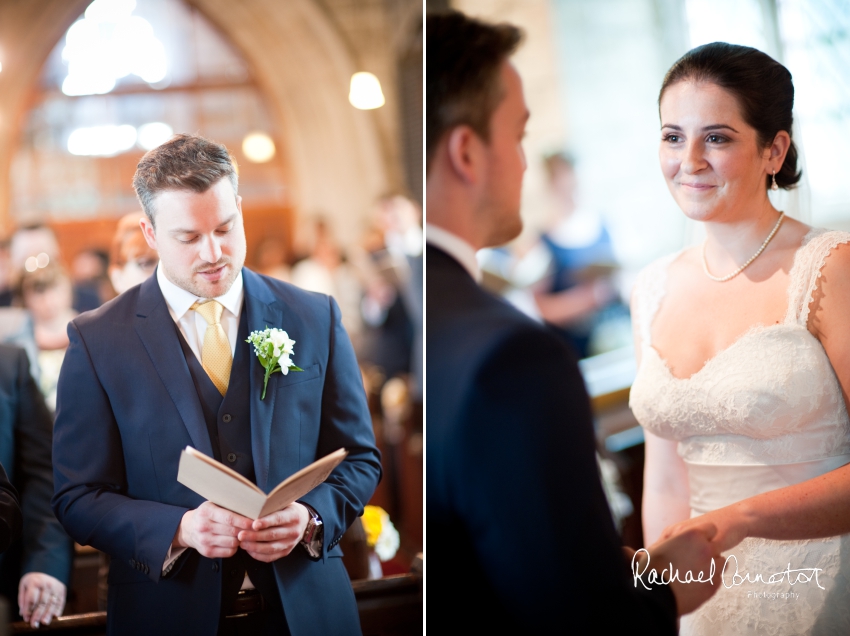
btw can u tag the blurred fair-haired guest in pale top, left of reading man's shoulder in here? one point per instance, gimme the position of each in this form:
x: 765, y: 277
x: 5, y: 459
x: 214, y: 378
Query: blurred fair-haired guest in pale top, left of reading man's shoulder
x: 46, y: 293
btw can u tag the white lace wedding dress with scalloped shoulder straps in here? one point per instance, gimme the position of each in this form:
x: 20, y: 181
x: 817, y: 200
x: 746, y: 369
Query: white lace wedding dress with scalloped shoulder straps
x: 764, y: 413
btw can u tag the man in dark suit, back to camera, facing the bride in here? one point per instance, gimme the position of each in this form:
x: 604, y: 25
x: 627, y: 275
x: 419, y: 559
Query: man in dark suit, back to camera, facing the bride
x: 520, y: 536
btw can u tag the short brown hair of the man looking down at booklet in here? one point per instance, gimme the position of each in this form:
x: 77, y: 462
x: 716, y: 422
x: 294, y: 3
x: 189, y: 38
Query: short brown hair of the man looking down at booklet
x: 184, y: 162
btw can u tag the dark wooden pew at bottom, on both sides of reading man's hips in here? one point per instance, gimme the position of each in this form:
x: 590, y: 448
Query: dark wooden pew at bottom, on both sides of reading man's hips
x: 391, y: 606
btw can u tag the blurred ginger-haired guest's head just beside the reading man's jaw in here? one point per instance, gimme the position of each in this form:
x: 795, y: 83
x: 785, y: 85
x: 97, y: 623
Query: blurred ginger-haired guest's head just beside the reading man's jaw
x: 131, y: 260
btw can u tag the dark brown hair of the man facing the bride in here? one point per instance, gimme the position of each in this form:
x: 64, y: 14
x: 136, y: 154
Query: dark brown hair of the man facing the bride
x: 464, y: 57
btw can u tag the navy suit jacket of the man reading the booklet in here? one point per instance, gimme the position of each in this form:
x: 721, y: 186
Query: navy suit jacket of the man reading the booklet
x: 127, y: 407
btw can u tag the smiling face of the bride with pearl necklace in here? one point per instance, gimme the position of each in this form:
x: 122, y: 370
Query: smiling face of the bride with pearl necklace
x: 711, y: 159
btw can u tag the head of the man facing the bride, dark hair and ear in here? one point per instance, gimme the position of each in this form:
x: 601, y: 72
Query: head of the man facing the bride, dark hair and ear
x: 475, y: 120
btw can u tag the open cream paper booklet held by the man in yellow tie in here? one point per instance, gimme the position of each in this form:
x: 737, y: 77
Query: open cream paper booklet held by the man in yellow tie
x: 226, y: 488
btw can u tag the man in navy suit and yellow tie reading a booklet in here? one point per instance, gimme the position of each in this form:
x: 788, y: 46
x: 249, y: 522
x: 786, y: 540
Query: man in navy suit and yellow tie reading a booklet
x: 166, y: 365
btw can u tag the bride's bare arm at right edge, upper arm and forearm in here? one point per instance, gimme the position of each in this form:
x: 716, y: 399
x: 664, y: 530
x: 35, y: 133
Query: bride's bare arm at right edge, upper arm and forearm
x: 818, y: 507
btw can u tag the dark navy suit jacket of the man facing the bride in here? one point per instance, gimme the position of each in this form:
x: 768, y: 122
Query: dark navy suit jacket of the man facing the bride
x: 520, y: 536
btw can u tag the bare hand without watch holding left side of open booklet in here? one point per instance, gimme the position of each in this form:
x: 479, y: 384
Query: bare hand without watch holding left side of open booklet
x: 211, y: 530
